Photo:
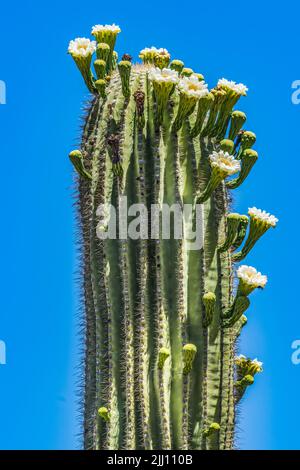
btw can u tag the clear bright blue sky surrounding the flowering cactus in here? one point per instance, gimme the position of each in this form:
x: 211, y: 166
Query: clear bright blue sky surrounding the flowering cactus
x: 254, y: 42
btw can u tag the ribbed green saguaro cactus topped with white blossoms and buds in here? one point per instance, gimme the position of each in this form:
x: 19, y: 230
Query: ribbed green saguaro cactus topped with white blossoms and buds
x: 161, y: 312
